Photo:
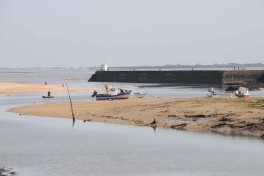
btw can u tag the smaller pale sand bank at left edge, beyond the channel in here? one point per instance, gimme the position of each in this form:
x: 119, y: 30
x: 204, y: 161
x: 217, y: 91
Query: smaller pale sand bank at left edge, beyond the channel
x: 16, y: 88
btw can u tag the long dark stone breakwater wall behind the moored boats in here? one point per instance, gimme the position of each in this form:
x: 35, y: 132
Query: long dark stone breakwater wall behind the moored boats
x: 181, y: 77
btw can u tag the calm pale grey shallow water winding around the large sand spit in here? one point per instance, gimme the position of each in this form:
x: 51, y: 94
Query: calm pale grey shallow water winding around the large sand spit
x: 40, y: 146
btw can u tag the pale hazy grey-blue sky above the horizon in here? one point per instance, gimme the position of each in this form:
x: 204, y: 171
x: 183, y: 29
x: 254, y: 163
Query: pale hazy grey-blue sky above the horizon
x: 84, y: 33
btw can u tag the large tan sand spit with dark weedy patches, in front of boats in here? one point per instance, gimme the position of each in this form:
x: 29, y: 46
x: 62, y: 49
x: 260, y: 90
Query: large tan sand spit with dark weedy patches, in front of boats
x: 221, y: 115
